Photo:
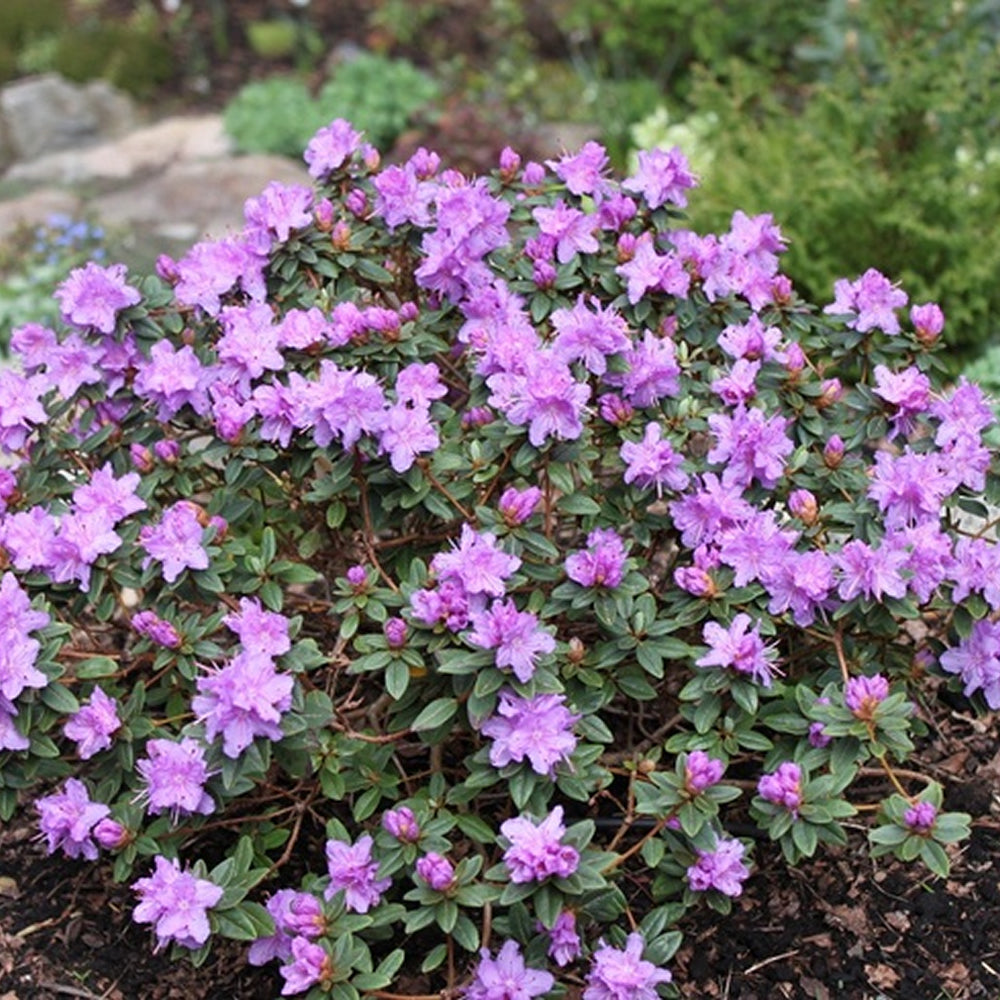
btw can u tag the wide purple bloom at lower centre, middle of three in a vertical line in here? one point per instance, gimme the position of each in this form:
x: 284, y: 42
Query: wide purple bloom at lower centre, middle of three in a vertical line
x: 539, y: 728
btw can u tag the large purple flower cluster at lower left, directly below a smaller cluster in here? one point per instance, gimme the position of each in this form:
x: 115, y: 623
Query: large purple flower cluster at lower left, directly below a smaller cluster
x: 243, y: 700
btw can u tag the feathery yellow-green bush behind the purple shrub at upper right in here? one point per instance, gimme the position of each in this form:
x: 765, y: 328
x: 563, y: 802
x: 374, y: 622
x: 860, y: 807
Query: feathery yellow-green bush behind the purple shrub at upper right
x: 889, y: 160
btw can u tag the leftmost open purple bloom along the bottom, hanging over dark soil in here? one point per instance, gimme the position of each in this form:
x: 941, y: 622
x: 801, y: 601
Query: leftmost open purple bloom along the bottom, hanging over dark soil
x: 177, y: 902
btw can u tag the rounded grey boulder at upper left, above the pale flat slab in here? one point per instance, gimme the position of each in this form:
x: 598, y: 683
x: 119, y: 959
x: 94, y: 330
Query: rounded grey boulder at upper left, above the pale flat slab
x: 43, y: 114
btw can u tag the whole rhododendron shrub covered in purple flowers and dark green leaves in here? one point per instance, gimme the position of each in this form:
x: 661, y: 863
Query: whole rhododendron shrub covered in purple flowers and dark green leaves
x: 459, y: 564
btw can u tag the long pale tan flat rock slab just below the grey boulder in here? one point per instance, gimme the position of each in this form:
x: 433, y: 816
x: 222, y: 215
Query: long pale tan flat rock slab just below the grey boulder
x: 148, y: 150
